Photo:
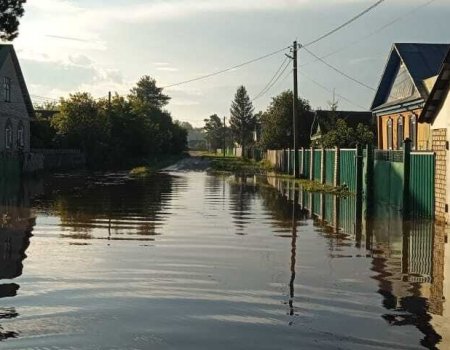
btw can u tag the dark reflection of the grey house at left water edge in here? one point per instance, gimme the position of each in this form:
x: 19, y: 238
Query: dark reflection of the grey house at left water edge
x: 16, y: 226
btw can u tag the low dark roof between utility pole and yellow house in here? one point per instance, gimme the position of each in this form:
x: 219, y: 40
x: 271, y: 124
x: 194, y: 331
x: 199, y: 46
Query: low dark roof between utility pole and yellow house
x: 353, y: 118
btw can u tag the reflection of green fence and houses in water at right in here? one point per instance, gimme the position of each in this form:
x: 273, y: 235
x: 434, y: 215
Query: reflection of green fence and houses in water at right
x: 408, y: 257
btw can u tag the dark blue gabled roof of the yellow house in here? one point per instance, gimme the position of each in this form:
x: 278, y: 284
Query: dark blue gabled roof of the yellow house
x: 422, y: 62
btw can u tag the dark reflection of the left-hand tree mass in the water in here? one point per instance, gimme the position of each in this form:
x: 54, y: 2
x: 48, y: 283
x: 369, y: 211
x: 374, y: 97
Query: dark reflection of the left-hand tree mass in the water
x: 115, y: 204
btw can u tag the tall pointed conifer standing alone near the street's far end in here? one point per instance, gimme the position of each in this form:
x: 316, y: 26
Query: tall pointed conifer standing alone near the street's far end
x: 242, y: 121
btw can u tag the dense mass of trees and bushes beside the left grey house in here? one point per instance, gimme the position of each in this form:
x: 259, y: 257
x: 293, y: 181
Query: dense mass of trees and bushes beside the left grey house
x: 118, y: 132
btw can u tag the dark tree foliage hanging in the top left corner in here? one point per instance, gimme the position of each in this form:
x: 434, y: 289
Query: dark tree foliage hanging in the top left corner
x: 10, y: 12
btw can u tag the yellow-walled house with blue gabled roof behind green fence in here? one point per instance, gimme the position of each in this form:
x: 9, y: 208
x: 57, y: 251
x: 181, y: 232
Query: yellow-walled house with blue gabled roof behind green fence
x: 402, y: 93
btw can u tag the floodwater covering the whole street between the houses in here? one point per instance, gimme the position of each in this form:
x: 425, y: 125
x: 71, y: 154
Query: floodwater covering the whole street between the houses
x: 193, y: 261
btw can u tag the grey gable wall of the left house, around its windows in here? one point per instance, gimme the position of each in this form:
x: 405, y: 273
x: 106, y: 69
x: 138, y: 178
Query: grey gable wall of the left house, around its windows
x: 15, y: 110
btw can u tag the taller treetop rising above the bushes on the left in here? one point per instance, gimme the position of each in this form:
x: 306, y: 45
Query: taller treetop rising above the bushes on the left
x: 148, y: 93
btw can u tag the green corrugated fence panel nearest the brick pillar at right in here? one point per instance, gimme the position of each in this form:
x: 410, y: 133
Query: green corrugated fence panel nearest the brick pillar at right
x: 422, y: 184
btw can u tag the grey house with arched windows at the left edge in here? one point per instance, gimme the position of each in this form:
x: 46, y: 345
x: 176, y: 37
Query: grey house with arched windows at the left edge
x: 16, y: 109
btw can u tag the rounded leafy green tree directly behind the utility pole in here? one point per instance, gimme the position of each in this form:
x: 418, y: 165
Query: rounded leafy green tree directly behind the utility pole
x: 276, y: 121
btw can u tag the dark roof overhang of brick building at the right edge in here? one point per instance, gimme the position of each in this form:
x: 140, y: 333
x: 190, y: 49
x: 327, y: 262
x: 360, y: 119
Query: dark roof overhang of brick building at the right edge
x: 438, y: 93
